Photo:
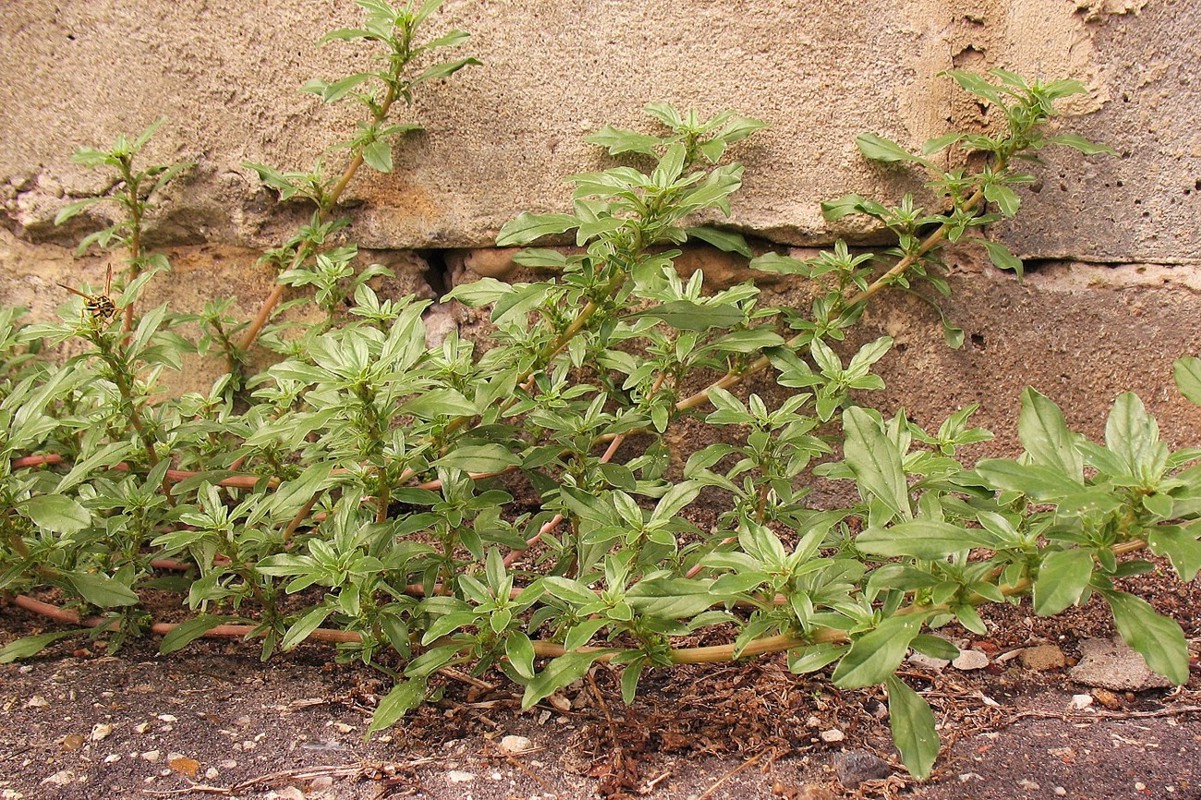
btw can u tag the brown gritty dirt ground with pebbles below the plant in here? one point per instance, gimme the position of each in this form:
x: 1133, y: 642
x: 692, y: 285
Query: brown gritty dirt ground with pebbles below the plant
x: 216, y: 721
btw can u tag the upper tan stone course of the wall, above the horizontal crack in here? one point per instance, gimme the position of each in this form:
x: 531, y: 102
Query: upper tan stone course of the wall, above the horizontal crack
x: 500, y: 139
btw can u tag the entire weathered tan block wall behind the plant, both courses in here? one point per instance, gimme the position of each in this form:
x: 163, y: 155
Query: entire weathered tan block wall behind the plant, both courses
x: 1114, y: 244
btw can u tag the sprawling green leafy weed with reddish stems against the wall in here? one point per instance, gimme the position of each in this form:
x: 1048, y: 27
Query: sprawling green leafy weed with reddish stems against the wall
x: 432, y: 510
